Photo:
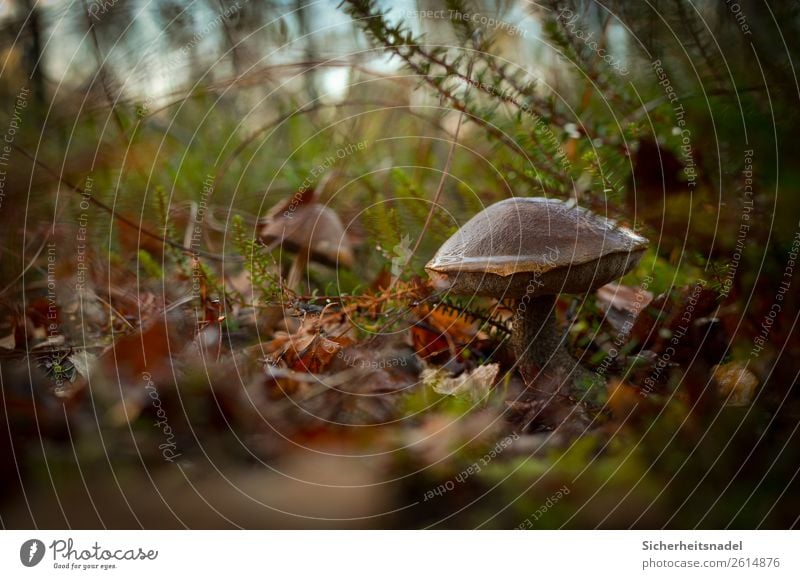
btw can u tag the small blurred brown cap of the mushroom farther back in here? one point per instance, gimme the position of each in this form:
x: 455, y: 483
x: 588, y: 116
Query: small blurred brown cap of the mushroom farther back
x: 314, y: 228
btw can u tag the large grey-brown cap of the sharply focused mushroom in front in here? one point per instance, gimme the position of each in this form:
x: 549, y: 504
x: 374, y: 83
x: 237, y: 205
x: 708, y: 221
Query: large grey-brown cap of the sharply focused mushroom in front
x: 534, y: 245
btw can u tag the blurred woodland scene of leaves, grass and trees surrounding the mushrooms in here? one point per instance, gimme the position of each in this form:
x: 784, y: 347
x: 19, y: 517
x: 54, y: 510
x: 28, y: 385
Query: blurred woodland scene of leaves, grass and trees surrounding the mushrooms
x: 157, y: 371
